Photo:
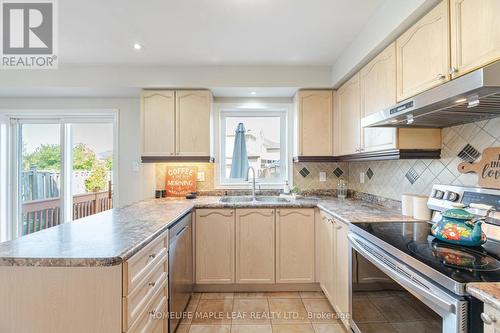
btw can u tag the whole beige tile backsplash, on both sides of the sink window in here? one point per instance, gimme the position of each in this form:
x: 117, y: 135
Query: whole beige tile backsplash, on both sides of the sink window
x: 386, y: 179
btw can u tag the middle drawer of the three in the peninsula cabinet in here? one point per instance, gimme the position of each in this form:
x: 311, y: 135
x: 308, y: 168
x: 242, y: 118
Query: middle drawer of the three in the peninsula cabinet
x: 135, y: 302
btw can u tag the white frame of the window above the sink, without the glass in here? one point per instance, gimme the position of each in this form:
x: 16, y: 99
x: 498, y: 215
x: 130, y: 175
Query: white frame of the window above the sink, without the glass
x: 224, y: 110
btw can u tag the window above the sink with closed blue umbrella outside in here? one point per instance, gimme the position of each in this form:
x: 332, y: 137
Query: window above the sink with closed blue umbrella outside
x: 265, y: 136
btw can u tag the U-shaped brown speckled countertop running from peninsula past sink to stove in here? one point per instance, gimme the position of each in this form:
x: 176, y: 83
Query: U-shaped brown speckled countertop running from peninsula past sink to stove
x: 111, y: 237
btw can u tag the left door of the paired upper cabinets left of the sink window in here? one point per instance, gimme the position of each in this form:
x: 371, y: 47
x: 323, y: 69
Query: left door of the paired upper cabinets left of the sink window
x: 158, y: 123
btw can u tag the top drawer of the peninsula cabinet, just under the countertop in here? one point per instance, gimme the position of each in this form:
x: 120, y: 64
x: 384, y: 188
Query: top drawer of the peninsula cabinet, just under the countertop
x: 143, y: 262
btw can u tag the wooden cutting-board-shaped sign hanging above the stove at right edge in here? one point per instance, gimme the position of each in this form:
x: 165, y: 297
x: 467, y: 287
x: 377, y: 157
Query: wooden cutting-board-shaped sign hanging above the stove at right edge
x: 488, y: 169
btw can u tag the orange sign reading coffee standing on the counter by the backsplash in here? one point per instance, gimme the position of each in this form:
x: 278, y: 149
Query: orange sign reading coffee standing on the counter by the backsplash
x: 180, y: 180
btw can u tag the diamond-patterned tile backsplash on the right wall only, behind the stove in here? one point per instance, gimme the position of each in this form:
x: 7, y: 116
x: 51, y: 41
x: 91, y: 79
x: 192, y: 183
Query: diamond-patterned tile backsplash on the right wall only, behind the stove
x: 390, y: 179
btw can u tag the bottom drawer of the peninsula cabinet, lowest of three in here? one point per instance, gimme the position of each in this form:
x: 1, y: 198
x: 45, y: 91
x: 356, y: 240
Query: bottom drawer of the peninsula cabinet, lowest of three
x: 147, y: 320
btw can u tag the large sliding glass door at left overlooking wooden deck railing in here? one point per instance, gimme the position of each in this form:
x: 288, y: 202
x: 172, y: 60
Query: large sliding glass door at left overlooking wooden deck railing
x: 62, y: 169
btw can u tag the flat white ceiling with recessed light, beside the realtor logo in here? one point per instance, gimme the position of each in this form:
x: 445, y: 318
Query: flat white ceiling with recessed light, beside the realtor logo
x: 209, y: 32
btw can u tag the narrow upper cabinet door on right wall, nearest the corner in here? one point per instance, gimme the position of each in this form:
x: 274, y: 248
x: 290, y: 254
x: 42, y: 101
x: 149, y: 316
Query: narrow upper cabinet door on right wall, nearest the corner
x: 348, y: 104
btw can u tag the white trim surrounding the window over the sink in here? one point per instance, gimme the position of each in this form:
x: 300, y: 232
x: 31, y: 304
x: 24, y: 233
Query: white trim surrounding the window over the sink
x: 221, y: 109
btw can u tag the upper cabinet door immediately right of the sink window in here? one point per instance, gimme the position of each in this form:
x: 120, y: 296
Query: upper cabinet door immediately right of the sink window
x: 315, y: 117
